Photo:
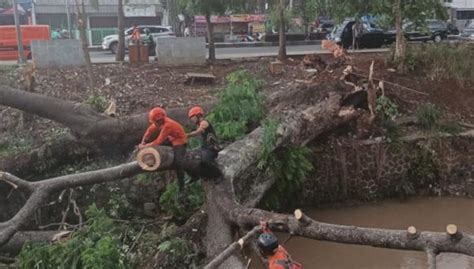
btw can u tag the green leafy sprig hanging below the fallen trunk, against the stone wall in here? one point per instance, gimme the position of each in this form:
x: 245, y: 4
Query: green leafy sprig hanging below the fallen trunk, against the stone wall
x: 290, y: 166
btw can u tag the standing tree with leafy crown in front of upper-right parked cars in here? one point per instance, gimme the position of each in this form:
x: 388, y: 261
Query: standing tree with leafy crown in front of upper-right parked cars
x: 400, y: 10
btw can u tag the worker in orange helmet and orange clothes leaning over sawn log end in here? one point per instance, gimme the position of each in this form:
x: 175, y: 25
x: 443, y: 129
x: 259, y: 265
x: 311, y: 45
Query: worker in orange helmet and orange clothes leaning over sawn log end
x: 171, y: 131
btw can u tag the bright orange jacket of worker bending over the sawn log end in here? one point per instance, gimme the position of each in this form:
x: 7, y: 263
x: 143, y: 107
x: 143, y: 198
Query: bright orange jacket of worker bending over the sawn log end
x: 170, y: 129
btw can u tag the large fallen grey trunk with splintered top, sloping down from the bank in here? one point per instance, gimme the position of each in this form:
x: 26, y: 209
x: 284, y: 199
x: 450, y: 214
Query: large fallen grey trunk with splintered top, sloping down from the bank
x: 298, y: 126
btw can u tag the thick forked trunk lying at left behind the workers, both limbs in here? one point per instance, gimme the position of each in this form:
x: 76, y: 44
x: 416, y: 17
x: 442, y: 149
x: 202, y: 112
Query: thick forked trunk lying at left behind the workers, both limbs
x: 97, y: 133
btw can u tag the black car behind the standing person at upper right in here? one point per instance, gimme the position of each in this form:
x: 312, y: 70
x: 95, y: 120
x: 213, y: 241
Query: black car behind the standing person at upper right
x: 372, y: 37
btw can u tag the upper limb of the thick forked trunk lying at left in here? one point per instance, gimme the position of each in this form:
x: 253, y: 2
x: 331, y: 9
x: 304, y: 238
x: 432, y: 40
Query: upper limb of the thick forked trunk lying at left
x: 83, y: 120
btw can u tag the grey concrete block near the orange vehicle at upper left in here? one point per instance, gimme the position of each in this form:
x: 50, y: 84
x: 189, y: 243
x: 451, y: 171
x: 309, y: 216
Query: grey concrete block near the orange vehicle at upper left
x: 57, y: 53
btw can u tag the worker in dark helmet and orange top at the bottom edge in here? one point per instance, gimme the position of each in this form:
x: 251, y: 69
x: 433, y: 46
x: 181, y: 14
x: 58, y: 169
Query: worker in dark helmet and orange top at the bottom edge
x: 277, y: 256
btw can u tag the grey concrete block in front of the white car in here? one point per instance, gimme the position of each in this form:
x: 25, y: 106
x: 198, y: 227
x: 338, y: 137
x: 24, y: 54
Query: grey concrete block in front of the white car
x: 181, y: 50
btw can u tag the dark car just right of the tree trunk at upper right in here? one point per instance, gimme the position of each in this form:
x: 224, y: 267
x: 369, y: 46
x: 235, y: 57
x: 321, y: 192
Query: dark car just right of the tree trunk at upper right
x: 434, y: 31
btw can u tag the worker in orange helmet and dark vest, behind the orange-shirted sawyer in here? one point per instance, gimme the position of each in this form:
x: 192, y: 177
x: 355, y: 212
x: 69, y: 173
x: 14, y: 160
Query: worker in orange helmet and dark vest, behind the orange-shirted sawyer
x: 209, y: 144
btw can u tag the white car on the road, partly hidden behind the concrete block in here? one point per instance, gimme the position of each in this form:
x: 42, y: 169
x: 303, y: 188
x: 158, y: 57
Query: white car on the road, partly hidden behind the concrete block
x: 110, y: 42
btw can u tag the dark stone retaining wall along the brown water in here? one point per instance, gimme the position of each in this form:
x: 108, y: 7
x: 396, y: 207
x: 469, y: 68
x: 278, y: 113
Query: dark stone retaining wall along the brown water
x: 367, y: 170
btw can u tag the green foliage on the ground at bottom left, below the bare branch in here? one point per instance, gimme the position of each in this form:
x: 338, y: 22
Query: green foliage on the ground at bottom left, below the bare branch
x: 94, y: 246
